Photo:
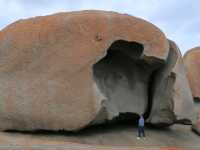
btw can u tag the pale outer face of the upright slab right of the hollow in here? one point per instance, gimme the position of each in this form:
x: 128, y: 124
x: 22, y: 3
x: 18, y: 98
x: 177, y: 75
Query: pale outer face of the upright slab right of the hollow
x: 182, y: 96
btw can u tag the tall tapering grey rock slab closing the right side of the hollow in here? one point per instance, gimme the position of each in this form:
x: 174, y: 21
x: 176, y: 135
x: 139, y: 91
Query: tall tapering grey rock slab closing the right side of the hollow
x: 172, y: 99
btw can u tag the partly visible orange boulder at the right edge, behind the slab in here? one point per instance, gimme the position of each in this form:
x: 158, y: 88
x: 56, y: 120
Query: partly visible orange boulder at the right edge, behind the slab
x: 192, y: 65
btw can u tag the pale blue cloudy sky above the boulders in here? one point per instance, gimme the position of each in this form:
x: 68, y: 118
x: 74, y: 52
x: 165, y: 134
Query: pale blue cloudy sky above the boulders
x: 178, y: 19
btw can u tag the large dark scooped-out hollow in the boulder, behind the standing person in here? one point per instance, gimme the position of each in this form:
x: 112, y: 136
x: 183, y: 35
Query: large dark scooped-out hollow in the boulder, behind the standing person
x: 126, y: 79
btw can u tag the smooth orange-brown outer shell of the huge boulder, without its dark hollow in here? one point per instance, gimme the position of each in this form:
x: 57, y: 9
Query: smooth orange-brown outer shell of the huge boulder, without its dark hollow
x: 46, y: 78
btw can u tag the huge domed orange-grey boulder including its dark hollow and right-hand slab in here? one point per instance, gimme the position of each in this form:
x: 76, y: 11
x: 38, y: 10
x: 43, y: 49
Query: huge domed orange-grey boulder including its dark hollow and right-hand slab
x: 70, y: 70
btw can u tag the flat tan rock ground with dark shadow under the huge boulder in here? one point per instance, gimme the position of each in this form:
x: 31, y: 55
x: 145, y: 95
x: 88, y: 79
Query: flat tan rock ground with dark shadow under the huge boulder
x: 121, y: 135
